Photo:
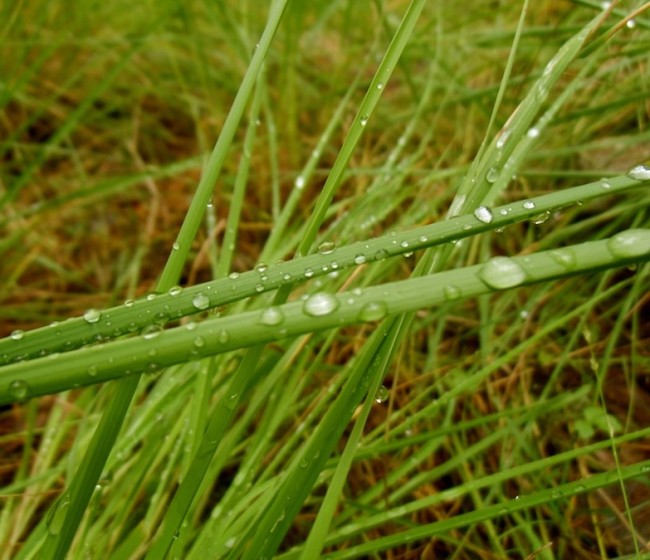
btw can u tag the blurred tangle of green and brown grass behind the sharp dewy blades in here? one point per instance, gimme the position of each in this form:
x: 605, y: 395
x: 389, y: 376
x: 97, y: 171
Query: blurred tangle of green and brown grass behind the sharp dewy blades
x: 505, y: 425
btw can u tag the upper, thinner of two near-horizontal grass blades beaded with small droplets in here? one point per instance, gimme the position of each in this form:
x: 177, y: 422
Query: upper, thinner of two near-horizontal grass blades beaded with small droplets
x: 155, y: 310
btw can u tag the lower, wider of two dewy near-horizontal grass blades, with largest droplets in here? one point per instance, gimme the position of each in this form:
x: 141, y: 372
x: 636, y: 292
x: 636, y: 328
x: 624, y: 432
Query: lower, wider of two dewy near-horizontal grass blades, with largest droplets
x: 121, y: 358
